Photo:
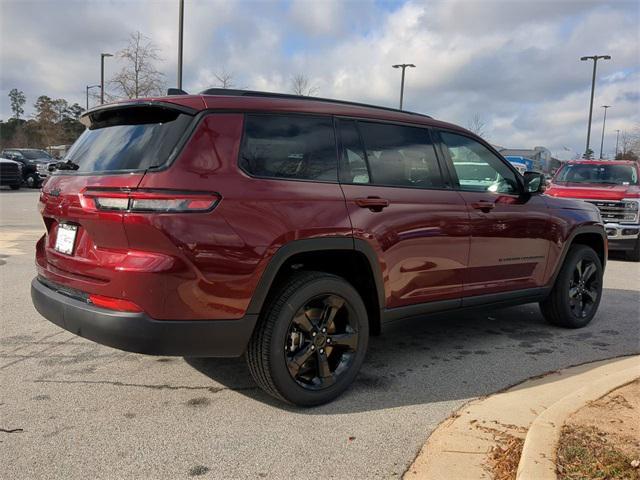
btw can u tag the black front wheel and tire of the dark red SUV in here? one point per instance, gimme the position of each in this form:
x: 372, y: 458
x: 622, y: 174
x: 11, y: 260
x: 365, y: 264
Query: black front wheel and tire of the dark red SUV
x: 574, y: 299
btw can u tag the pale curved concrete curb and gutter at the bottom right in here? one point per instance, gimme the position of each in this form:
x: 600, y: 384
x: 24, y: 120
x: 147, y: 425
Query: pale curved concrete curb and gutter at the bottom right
x: 460, y: 447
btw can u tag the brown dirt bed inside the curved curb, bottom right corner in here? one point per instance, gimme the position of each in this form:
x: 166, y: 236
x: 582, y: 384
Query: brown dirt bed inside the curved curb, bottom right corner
x: 602, y: 440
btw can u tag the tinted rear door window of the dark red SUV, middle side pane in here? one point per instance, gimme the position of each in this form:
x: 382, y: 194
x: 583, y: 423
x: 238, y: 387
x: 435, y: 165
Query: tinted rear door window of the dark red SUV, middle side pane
x: 400, y: 156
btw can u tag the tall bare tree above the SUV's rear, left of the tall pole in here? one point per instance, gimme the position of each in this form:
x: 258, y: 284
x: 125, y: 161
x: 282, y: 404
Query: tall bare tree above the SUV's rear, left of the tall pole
x: 139, y: 77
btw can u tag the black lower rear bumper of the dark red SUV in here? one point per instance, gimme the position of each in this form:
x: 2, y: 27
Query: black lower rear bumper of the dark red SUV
x: 136, y: 332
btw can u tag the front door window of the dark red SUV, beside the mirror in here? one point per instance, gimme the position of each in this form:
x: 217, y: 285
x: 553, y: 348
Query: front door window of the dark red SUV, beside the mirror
x: 478, y: 168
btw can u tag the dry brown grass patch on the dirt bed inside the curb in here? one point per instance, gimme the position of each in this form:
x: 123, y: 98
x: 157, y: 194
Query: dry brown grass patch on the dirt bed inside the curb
x: 588, y: 453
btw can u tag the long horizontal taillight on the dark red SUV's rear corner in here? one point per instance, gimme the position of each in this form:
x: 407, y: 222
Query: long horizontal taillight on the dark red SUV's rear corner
x: 148, y: 201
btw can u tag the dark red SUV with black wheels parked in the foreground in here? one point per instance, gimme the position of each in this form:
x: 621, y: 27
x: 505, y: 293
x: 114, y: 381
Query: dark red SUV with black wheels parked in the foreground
x: 289, y: 229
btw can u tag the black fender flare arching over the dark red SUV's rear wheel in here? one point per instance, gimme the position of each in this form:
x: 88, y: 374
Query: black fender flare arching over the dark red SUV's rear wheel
x: 307, y: 245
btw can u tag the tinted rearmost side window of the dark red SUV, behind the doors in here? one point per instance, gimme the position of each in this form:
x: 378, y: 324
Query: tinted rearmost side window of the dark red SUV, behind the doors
x: 289, y: 146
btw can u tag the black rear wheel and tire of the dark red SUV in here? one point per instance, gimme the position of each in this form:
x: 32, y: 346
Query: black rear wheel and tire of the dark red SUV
x: 272, y: 348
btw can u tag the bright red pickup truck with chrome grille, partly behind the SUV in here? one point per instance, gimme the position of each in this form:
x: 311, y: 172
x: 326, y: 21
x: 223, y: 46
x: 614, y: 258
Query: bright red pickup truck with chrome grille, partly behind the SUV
x: 613, y: 187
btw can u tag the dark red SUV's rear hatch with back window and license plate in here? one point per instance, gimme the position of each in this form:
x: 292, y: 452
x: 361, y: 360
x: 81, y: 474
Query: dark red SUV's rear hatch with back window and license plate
x: 83, y: 204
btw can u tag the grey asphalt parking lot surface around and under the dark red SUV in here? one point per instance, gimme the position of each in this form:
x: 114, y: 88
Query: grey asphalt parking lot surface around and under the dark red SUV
x: 73, y: 409
